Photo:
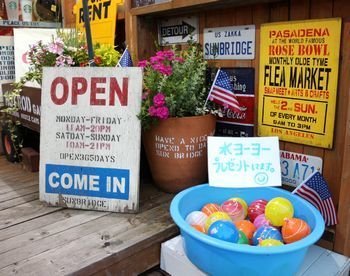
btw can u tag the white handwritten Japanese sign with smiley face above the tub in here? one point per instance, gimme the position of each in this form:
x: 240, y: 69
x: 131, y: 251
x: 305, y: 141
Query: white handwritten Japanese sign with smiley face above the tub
x: 244, y: 162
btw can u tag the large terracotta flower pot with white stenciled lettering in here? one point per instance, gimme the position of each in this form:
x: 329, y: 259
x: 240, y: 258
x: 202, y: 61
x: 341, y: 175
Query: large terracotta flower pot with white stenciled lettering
x: 176, y: 150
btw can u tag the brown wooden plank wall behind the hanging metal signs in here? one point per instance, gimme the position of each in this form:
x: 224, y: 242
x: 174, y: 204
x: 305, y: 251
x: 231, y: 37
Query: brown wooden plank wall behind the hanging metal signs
x: 141, y: 33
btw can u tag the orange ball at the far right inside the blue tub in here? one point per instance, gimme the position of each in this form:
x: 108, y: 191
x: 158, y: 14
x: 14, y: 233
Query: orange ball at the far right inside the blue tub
x: 294, y: 229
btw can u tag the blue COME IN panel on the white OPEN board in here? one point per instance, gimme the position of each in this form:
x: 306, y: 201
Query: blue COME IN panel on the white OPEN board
x: 87, y: 181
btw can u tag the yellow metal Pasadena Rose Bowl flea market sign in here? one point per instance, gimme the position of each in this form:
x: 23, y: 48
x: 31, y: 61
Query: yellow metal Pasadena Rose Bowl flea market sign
x: 298, y: 78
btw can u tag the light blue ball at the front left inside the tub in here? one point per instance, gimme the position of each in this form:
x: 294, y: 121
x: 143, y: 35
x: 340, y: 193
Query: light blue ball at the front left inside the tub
x: 224, y: 230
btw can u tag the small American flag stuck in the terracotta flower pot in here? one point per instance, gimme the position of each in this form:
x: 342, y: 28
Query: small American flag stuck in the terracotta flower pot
x: 221, y: 92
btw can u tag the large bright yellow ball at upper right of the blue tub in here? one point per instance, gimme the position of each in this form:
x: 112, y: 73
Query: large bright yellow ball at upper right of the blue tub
x: 278, y: 209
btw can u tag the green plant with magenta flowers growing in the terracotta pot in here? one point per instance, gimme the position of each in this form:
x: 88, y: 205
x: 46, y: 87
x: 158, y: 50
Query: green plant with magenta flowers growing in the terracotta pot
x: 179, y: 78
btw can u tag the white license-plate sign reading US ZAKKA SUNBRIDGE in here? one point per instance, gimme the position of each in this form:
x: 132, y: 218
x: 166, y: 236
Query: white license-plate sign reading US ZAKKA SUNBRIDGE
x: 233, y: 42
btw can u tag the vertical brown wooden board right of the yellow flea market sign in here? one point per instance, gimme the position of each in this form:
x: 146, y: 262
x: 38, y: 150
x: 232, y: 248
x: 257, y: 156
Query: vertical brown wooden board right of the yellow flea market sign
x: 342, y: 234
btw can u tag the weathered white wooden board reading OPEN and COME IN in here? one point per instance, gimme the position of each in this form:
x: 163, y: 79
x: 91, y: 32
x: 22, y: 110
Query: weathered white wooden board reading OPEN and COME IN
x: 90, y: 138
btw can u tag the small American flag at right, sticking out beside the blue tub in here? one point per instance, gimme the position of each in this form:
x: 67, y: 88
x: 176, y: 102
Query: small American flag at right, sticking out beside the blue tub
x: 315, y: 190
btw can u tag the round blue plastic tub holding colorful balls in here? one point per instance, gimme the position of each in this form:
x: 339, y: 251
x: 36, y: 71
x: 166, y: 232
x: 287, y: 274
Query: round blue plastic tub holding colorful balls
x: 217, y: 257
